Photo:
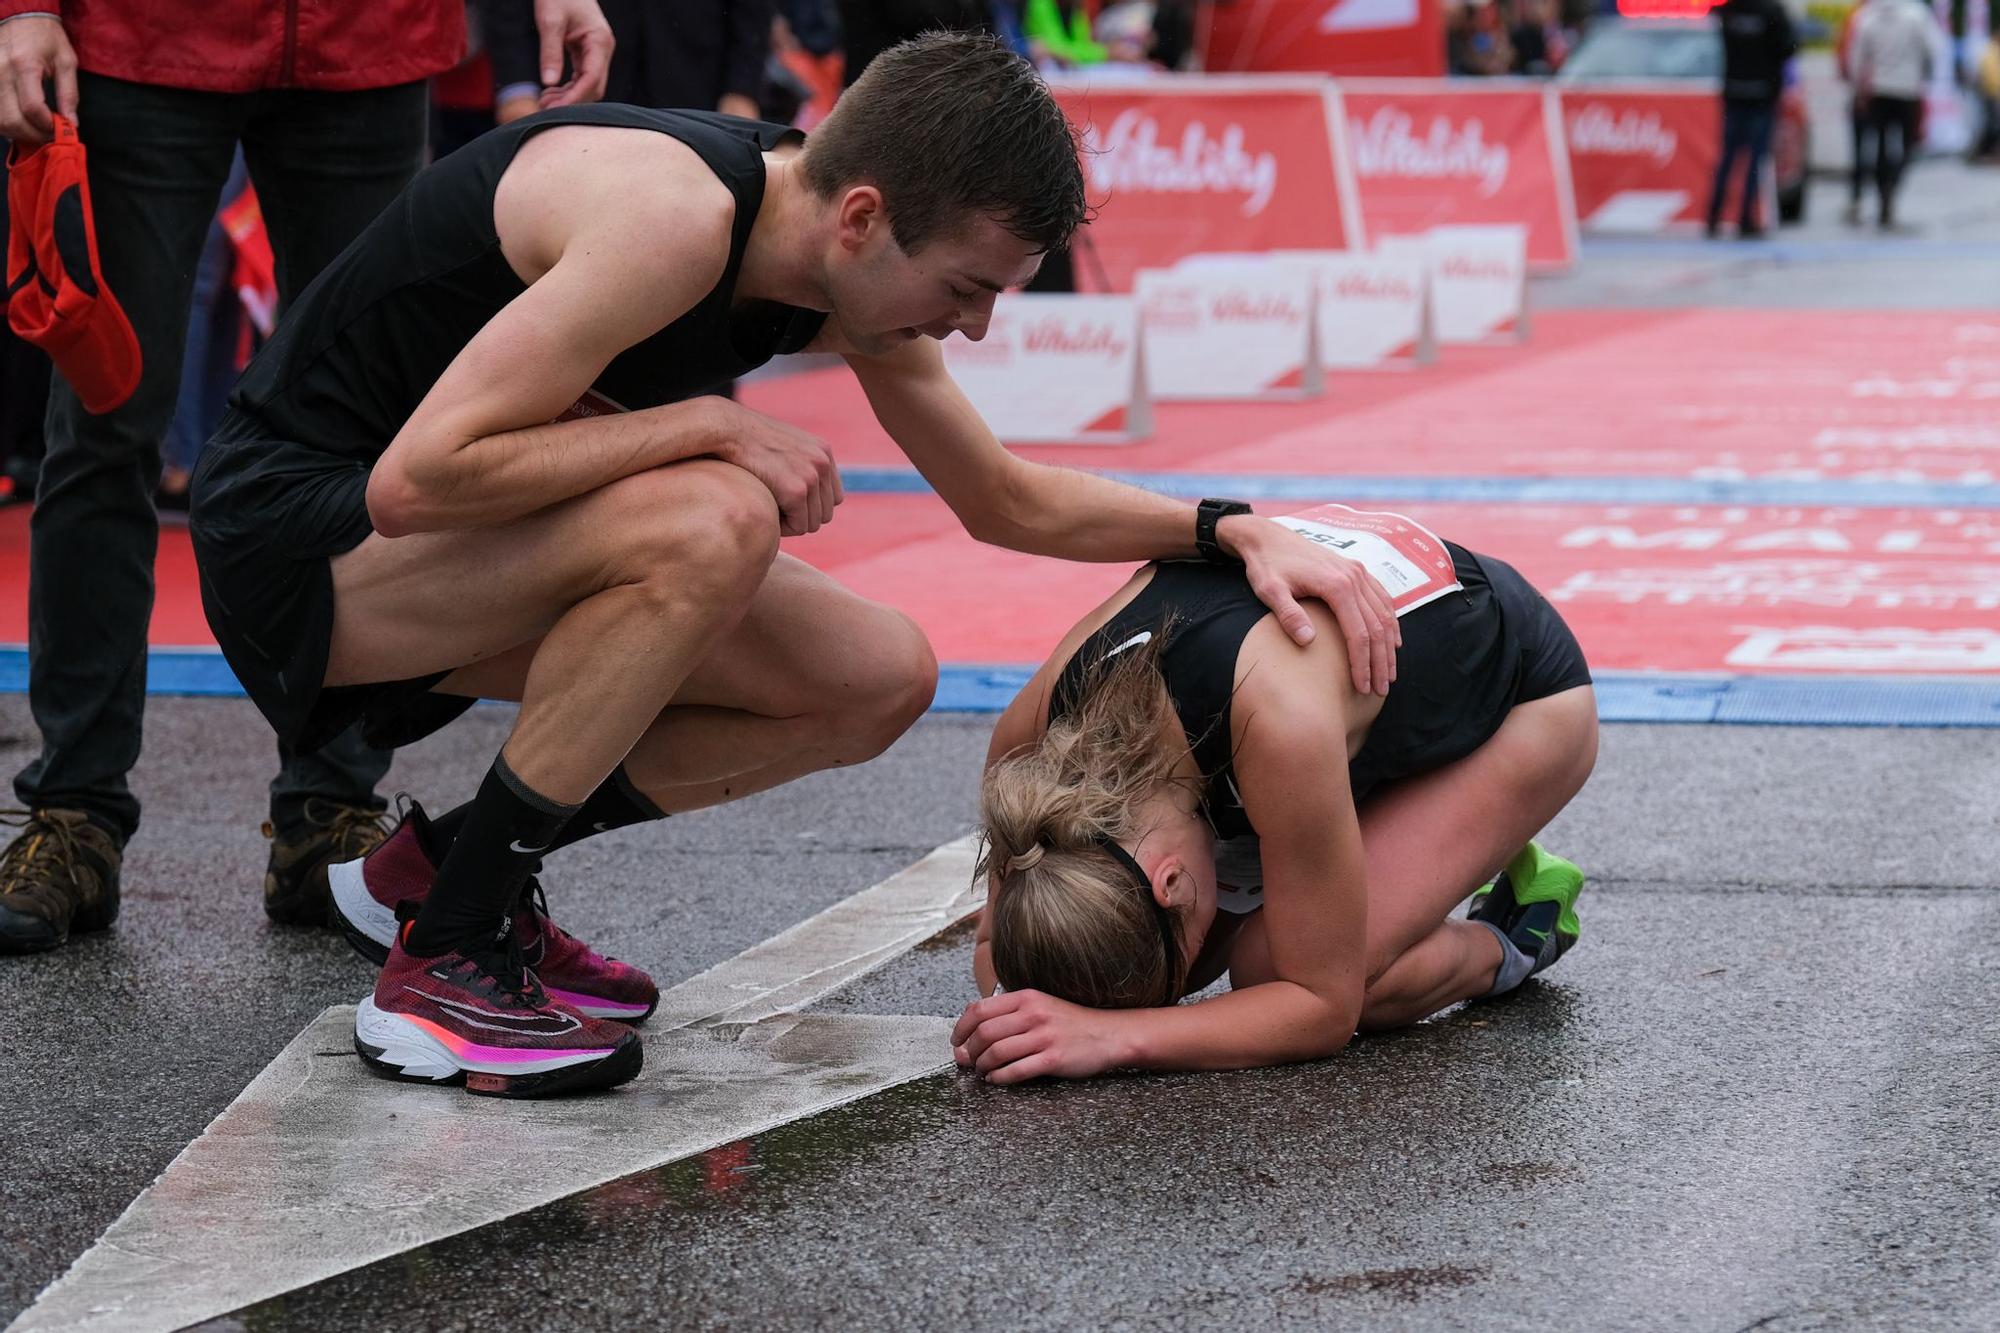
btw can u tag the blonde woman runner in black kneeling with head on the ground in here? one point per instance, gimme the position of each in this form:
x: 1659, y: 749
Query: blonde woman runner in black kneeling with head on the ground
x: 1185, y: 792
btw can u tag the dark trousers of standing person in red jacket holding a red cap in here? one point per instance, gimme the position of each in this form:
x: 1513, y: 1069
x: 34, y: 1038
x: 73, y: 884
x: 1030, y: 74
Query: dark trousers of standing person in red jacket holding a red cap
x: 323, y: 165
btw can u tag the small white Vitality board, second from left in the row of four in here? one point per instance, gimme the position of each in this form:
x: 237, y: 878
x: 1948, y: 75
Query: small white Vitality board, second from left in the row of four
x: 1229, y: 329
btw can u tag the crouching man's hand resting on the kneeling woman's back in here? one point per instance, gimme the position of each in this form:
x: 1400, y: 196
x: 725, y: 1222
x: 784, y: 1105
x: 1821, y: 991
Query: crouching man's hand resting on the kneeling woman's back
x: 1285, y: 569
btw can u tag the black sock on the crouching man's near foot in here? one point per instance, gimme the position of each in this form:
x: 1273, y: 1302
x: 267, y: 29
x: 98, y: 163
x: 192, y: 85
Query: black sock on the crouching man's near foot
x: 501, y: 840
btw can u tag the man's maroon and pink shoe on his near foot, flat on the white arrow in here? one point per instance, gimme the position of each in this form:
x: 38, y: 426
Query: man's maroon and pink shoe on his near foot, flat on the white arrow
x: 481, y: 1020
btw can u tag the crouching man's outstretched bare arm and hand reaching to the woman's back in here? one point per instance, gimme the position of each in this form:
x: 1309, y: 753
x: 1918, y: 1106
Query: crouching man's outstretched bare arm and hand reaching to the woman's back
x: 1071, y: 515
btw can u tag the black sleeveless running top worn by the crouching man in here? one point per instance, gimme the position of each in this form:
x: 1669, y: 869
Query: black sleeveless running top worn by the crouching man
x: 373, y: 333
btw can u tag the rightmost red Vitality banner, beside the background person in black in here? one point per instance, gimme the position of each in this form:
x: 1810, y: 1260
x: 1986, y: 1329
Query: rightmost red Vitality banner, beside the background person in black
x: 1641, y: 157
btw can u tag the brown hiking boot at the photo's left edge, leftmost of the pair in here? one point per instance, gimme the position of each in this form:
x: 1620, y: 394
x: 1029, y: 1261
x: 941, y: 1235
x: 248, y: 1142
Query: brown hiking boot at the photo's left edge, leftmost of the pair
x: 59, y: 876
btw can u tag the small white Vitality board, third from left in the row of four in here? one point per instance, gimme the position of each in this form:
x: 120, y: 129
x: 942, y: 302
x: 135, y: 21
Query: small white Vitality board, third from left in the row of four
x: 1373, y: 309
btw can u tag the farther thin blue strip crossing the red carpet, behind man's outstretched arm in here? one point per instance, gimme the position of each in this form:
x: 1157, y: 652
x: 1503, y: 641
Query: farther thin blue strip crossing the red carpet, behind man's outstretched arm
x: 1507, y: 489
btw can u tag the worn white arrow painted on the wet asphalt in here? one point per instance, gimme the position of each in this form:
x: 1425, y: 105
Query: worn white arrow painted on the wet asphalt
x: 321, y: 1168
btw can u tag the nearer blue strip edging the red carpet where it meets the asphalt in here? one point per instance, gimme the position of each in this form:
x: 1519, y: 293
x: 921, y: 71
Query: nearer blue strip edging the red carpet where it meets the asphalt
x: 1623, y: 696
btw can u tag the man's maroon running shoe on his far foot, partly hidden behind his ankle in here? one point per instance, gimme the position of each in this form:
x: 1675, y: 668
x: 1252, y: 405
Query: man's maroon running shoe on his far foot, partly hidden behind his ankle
x: 375, y: 896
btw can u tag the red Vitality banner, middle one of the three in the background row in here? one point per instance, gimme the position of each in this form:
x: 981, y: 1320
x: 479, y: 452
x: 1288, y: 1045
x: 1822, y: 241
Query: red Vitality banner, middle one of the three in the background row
x: 1433, y: 153
